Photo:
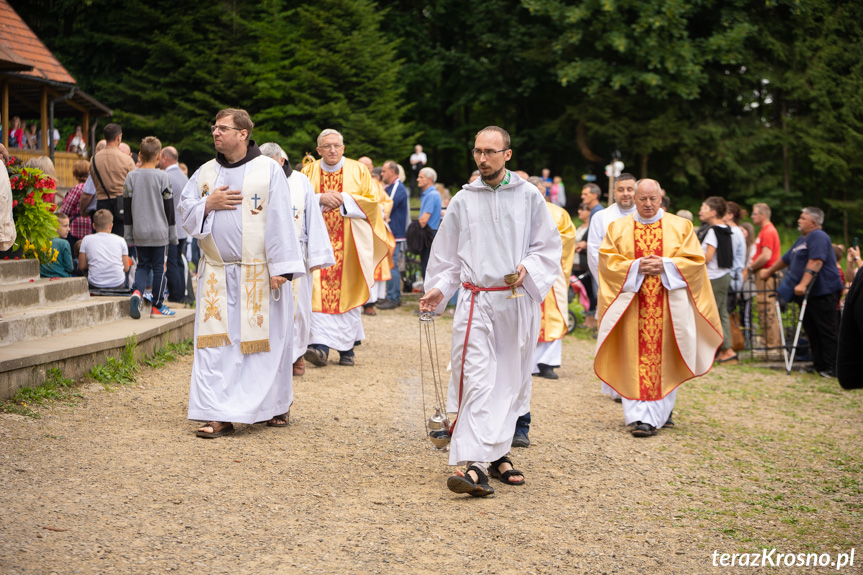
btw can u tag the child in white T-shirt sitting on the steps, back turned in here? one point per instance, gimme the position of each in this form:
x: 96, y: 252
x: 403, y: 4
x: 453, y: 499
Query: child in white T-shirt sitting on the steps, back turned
x: 105, y: 255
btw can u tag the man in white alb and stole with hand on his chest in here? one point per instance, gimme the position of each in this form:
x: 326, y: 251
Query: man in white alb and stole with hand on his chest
x: 239, y: 207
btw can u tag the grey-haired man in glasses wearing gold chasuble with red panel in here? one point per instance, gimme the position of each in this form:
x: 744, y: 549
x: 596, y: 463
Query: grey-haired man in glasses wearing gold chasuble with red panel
x: 358, y: 236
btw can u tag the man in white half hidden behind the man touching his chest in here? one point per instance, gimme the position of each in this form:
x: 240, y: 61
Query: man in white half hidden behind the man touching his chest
x: 314, y: 245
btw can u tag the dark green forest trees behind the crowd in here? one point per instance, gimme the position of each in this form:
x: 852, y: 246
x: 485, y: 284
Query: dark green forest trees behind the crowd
x: 751, y: 100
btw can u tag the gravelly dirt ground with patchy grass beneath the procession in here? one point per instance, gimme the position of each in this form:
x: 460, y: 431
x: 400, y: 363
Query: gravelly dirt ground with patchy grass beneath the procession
x: 118, y: 483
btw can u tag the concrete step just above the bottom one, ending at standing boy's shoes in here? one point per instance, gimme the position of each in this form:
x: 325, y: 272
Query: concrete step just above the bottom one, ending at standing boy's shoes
x: 58, y: 318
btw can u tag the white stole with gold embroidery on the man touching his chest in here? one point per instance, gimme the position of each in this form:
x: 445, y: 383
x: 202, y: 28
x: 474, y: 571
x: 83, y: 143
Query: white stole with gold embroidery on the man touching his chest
x: 255, y: 277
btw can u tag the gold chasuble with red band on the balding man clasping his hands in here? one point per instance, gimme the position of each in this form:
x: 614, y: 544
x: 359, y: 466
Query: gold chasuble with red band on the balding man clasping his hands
x: 652, y: 341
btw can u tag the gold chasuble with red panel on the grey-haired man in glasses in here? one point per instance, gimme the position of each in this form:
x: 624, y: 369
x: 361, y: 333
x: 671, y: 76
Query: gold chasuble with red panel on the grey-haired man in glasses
x: 359, y: 244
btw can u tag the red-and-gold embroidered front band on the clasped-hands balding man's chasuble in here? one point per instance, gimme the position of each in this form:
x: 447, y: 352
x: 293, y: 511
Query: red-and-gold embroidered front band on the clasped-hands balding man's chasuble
x: 651, y: 300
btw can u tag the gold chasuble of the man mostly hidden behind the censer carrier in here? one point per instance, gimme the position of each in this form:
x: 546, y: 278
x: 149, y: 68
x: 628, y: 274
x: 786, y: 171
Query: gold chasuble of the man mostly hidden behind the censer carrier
x: 554, y: 308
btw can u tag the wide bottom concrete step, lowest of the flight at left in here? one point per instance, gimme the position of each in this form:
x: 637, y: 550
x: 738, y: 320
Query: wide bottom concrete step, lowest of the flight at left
x: 26, y: 363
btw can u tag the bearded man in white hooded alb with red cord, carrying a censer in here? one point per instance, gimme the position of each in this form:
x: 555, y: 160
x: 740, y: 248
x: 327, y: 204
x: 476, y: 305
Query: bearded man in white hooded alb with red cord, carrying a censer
x: 496, y: 226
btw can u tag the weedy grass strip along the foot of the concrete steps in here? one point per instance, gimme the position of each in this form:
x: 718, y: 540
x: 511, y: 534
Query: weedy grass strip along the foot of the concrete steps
x: 121, y: 371
